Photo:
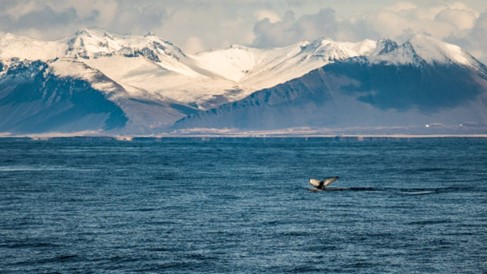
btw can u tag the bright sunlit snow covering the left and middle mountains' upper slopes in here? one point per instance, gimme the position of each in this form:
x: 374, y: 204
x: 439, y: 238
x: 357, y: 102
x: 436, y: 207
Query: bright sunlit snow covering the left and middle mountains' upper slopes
x: 148, y: 67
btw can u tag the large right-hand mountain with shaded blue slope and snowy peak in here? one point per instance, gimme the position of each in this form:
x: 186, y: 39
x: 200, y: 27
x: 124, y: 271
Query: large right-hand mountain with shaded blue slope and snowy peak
x: 406, y: 87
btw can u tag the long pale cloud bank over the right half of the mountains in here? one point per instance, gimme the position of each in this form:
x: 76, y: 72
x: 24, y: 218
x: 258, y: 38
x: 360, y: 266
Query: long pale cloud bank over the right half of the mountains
x: 454, y: 22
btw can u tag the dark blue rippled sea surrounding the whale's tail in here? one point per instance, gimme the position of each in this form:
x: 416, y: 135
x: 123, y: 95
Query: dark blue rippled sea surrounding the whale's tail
x: 212, y: 205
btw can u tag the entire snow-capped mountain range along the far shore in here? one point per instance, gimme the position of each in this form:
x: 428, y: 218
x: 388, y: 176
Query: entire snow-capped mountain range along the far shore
x: 126, y: 84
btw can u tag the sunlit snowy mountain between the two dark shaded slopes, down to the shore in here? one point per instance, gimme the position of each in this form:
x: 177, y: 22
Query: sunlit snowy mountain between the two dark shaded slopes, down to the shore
x: 154, y: 82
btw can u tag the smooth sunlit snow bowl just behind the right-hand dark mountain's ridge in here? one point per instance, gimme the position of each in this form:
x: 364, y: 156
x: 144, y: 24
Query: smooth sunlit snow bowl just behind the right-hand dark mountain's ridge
x: 254, y: 69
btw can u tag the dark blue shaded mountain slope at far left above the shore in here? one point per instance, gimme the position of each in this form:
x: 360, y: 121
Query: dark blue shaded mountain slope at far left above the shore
x: 33, y: 99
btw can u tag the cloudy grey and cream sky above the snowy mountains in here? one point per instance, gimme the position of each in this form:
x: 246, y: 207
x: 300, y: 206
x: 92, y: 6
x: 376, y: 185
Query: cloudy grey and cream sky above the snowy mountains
x: 196, y: 25
